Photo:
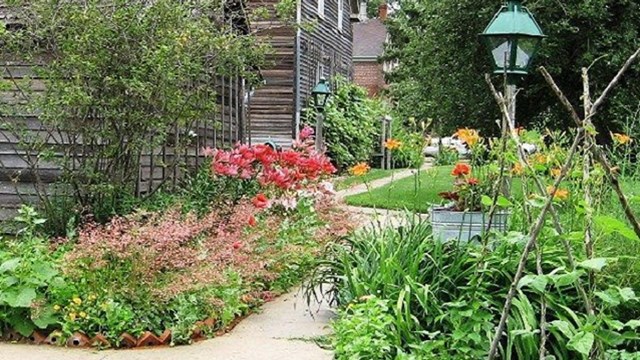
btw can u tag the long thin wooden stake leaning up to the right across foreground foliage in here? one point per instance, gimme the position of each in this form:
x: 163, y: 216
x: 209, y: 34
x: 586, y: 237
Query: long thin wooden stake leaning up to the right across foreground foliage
x: 533, y: 236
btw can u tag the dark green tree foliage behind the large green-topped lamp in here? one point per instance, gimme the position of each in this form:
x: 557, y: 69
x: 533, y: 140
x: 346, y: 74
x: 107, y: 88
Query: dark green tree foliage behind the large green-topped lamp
x: 442, y: 61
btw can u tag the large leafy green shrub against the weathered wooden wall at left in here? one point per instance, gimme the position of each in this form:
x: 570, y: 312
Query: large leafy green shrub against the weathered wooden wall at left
x: 125, y: 77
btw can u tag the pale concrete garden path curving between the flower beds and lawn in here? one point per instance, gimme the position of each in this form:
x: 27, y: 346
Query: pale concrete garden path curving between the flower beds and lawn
x: 285, y: 328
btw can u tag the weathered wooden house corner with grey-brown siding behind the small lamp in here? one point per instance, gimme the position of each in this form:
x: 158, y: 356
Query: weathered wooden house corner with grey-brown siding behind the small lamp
x: 275, y: 106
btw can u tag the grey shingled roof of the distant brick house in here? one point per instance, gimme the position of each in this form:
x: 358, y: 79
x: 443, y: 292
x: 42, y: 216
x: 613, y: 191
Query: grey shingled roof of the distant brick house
x: 369, y: 37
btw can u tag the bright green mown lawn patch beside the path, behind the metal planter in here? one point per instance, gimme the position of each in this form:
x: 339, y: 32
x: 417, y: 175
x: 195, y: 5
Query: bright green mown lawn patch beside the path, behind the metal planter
x: 415, y: 193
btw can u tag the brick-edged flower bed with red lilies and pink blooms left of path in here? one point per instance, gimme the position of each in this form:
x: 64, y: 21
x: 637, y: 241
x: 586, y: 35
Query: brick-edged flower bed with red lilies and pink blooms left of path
x: 190, y: 267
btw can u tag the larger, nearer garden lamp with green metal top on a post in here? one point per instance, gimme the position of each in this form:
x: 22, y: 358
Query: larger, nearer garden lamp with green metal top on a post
x: 513, y: 37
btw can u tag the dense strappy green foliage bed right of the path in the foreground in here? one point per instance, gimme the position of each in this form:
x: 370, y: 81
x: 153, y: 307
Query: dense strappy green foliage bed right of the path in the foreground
x: 409, y: 296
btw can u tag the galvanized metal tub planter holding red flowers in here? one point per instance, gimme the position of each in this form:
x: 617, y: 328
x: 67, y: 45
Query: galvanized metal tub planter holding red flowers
x: 463, y: 226
